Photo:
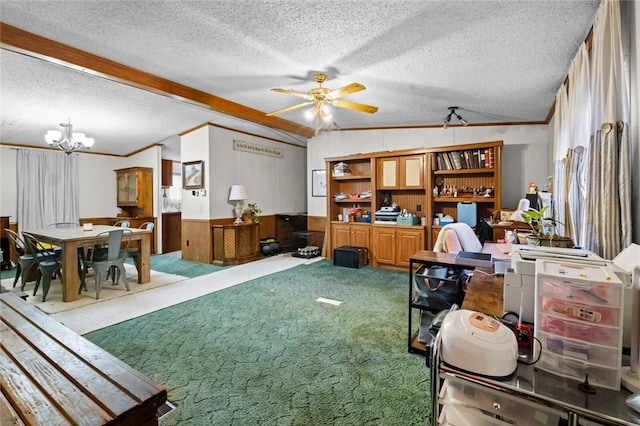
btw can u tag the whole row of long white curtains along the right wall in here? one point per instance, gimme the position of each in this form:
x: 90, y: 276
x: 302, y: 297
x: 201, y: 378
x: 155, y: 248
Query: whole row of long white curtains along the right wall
x: 592, y: 162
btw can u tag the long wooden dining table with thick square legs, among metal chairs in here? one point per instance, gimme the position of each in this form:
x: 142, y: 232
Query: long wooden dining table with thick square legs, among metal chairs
x: 69, y: 239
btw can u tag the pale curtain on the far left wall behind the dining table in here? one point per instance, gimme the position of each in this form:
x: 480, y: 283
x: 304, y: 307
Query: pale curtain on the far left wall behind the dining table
x: 47, y: 188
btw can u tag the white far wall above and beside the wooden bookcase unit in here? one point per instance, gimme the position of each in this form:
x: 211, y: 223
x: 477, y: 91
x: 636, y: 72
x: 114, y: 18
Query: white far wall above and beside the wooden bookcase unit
x: 525, y: 153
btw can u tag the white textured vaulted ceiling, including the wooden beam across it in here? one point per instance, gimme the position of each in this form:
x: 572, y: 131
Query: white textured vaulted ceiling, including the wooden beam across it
x: 216, y: 61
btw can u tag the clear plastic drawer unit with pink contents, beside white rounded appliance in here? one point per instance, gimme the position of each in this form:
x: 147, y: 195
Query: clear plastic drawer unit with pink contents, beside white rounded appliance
x: 578, y: 321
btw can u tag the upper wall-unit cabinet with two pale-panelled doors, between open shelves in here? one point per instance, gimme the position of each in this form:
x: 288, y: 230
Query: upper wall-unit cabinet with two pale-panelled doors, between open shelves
x: 403, y: 172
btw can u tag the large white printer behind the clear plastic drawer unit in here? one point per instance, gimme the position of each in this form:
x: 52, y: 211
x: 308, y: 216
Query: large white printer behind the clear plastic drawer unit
x: 520, y: 279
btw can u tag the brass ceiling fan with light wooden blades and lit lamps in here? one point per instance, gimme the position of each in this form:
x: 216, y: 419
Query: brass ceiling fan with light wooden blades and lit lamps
x: 320, y: 97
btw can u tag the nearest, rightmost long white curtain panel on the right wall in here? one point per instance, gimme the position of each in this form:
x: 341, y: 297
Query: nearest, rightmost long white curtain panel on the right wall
x: 608, y: 197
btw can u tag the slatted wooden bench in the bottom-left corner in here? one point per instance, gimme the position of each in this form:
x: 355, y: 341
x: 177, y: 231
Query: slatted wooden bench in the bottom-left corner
x: 50, y: 375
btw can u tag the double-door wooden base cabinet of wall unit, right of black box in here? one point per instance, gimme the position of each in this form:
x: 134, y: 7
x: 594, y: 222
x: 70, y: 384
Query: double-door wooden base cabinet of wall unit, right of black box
x: 394, y: 245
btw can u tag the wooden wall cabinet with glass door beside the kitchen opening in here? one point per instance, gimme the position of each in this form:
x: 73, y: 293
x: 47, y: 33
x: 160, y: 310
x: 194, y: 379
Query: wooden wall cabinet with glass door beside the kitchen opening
x: 134, y: 191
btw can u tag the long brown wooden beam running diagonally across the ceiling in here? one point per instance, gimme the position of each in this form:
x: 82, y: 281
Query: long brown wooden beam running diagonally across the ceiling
x: 26, y: 43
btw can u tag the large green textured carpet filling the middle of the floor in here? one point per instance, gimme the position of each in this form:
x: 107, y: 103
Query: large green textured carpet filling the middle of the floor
x: 266, y: 353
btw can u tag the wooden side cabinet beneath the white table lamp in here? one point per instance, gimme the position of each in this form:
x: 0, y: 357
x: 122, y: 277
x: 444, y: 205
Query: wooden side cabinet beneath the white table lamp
x: 235, y: 244
